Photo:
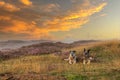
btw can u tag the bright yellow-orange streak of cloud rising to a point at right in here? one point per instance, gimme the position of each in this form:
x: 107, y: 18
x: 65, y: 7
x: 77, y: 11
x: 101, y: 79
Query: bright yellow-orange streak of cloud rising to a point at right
x: 73, y: 19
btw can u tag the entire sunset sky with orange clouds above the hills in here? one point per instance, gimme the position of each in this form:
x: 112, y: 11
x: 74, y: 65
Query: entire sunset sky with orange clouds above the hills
x: 63, y: 20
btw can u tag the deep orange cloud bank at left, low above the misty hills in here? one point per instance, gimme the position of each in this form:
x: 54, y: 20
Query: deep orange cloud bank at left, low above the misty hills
x: 21, y: 27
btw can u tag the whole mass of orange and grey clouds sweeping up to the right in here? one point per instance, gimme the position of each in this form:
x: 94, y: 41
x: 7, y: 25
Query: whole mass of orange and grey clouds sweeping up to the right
x: 42, y: 19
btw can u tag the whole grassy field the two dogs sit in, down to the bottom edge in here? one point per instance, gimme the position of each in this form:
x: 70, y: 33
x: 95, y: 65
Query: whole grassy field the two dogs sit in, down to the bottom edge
x: 52, y: 67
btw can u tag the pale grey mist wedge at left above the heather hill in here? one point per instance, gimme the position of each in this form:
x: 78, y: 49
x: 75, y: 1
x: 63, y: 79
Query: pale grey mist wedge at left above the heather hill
x: 14, y: 44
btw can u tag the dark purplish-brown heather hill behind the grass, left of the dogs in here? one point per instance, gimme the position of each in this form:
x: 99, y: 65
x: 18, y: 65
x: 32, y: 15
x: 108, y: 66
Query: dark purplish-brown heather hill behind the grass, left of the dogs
x: 35, y: 49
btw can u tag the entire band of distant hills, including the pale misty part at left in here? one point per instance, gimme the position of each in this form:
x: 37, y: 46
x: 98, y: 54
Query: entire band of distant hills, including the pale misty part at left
x: 36, y: 47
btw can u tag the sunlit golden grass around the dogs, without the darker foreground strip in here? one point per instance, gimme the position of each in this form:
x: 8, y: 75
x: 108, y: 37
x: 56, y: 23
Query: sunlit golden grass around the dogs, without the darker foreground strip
x: 109, y: 60
